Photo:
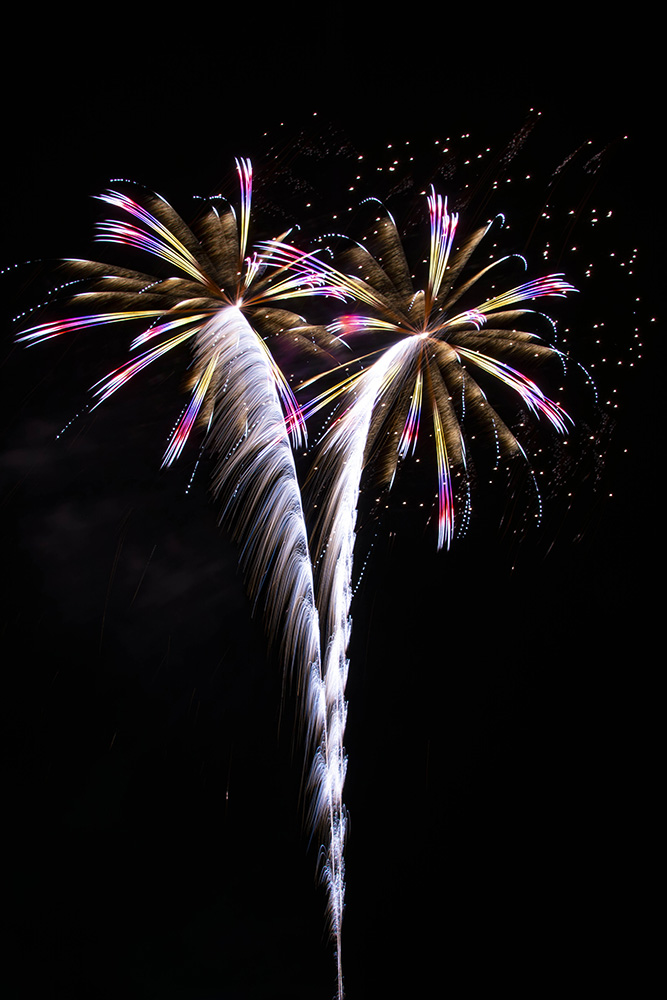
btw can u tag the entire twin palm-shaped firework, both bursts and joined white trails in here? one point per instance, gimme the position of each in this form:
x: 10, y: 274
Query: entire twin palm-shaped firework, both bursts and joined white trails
x: 430, y: 361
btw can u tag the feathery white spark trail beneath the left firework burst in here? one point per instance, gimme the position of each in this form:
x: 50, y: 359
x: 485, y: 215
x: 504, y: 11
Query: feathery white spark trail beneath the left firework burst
x: 256, y: 479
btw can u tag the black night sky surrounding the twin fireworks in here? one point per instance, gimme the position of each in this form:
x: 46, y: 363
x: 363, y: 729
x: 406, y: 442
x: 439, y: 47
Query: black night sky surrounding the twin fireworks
x: 498, y: 729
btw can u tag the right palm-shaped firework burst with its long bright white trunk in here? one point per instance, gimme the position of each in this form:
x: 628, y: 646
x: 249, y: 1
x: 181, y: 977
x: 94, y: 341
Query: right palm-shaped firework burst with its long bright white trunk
x: 436, y: 352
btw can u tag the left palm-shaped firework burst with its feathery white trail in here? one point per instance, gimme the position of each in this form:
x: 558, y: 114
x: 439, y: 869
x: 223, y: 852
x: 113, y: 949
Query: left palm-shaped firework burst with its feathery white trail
x: 223, y: 303
